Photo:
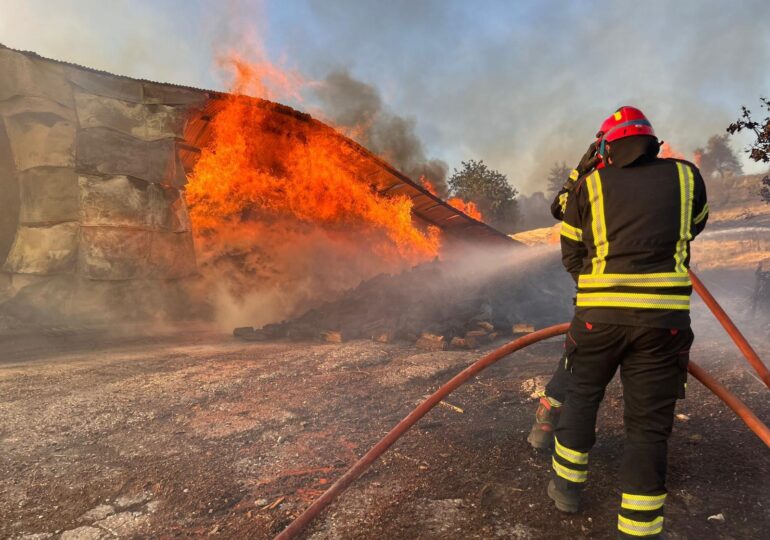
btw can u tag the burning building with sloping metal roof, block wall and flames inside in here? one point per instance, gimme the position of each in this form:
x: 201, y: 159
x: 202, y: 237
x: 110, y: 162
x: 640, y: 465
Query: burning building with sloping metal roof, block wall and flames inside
x: 117, y: 199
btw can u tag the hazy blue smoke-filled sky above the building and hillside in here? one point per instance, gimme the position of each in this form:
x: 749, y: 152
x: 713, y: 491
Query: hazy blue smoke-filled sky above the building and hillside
x: 518, y: 84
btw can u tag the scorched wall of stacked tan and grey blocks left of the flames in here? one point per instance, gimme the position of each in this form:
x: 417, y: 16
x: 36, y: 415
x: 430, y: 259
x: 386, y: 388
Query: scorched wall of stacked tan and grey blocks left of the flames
x: 90, y: 176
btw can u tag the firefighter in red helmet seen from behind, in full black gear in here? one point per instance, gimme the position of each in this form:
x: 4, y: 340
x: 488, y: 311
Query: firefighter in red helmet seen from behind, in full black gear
x: 625, y: 238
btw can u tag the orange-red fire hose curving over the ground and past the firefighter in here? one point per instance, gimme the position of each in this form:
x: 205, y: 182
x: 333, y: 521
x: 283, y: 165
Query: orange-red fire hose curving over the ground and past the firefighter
x: 358, y: 468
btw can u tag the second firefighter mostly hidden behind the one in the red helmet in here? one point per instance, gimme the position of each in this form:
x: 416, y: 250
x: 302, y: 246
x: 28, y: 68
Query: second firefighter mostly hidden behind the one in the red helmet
x: 552, y: 397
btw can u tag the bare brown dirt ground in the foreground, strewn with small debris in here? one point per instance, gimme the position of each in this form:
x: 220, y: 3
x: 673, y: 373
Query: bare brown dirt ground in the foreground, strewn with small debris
x: 194, y: 434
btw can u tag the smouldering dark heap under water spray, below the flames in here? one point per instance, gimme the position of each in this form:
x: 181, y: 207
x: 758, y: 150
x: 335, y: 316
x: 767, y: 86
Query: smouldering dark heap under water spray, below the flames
x: 439, y: 305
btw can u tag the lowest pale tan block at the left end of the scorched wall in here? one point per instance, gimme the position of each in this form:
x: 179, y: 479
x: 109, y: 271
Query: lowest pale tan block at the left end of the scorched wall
x: 43, y: 250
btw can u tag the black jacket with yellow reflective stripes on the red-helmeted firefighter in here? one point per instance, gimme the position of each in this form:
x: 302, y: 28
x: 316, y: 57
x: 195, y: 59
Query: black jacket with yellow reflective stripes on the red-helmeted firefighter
x: 625, y: 238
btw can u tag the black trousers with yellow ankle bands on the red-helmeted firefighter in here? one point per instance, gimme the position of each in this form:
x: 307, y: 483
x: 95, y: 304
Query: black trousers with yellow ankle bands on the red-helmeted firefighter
x: 653, y: 370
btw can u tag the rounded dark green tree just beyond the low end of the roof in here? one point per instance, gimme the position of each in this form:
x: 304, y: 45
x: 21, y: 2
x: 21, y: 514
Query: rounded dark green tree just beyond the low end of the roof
x: 489, y: 189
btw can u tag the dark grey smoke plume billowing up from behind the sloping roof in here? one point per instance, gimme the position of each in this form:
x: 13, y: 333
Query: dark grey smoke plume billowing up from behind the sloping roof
x: 358, y: 109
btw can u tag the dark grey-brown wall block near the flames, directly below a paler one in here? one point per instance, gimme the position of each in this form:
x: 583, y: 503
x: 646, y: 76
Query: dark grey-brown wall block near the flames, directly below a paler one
x: 104, y: 151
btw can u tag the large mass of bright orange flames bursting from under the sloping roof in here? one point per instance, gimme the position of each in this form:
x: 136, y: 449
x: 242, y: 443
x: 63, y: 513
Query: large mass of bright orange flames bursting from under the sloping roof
x: 263, y: 165
